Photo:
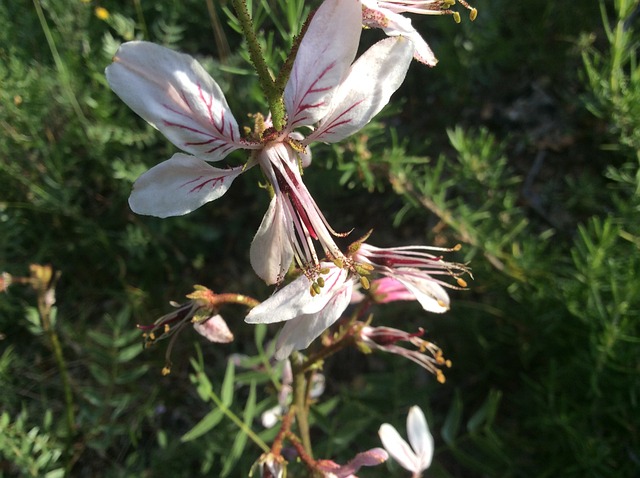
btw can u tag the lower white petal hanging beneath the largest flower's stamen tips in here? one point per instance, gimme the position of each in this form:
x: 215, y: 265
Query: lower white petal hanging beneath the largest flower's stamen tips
x: 297, y: 334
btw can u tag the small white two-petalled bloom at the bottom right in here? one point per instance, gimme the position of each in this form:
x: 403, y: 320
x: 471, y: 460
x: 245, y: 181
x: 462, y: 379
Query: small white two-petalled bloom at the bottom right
x: 417, y: 457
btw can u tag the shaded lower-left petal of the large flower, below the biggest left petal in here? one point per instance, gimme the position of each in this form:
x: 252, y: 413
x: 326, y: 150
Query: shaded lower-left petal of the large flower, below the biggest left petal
x: 178, y: 186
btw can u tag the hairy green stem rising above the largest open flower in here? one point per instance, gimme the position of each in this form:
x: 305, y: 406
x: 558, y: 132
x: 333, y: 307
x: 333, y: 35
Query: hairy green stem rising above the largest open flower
x: 271, y: 92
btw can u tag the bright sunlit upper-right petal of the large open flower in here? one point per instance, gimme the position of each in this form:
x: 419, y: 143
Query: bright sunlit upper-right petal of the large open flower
x: 372, y: 80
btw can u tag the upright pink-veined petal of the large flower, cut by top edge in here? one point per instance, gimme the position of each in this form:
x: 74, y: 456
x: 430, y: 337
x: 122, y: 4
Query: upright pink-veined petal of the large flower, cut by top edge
x: 326, y: 51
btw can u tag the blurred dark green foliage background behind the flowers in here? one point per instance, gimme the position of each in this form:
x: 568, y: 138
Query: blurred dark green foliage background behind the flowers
x: 522, y: 145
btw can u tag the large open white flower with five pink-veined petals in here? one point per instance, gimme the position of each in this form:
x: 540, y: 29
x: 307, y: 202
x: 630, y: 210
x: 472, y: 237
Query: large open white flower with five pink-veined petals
x: 326, y: 92
